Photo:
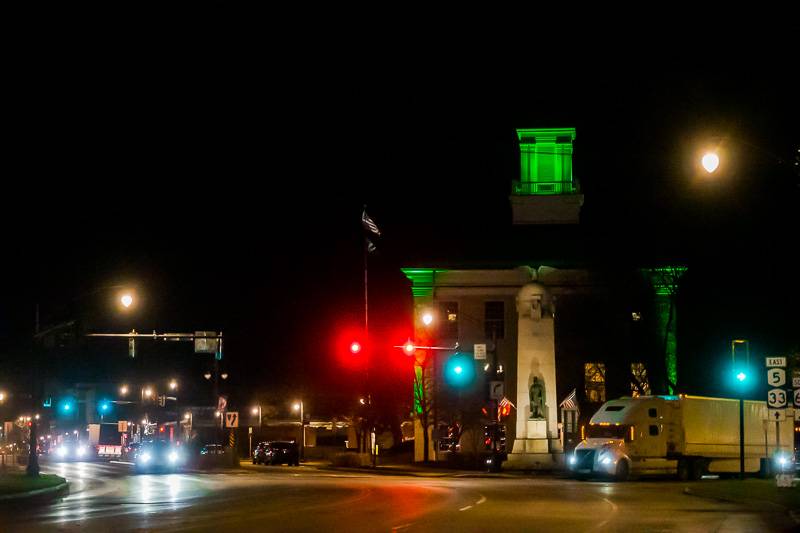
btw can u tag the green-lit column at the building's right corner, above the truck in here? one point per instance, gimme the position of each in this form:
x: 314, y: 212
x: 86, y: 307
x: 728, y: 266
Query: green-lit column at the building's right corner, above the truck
x: 665, y: 283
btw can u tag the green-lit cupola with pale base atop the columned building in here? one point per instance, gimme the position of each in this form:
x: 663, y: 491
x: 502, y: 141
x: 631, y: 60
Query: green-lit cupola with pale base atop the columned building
x: 546, y: 192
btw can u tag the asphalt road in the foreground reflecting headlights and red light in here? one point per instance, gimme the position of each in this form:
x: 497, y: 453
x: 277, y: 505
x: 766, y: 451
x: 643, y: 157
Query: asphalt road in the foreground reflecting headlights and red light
x: 108, y: 497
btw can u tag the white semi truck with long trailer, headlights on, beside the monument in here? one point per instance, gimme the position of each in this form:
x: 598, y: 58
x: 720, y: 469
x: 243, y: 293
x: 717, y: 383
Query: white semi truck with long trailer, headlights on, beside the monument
x: 687, y: 436
